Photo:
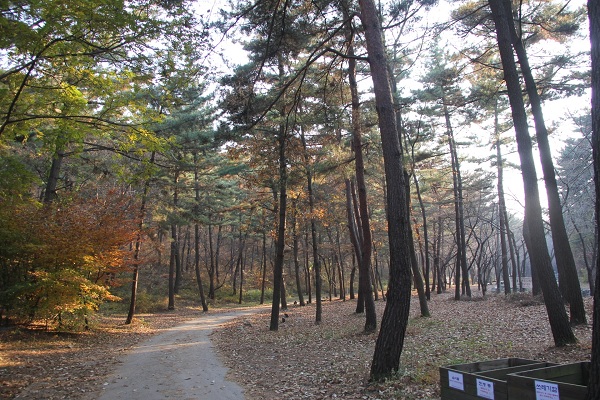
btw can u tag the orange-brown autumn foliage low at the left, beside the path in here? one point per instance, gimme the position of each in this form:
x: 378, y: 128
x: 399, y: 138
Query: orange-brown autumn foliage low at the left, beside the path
x: 58, y: 260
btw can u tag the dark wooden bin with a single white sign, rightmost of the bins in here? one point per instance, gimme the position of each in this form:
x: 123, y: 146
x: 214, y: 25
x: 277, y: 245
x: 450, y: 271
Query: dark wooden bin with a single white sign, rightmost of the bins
x: 559, y: 382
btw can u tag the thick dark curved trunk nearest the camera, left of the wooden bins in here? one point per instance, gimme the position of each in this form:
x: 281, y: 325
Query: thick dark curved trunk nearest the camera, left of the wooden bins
x: 390, y: 341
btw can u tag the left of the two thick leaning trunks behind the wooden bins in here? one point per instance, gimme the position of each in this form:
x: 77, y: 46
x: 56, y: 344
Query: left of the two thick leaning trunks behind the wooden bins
x: 538, y: 250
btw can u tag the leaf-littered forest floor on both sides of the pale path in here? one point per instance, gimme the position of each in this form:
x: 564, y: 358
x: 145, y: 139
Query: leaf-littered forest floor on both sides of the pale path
x: 301, y: 360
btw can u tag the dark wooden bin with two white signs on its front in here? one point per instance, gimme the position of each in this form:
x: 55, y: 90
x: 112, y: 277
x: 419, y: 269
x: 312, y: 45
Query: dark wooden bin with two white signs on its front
x: 482, y: 380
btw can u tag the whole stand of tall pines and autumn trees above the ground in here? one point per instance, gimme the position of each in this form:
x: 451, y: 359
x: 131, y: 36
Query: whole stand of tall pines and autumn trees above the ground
x: 270, y: 151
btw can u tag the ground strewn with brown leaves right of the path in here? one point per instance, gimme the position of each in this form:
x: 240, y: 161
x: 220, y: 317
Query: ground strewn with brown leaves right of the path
x: 331, y: 360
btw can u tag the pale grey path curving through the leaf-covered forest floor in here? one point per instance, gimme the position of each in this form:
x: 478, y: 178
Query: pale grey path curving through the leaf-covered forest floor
x: 180, y: 363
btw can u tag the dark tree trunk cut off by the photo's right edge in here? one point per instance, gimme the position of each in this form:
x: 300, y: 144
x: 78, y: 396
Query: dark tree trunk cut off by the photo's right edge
x: 594, y: 20
